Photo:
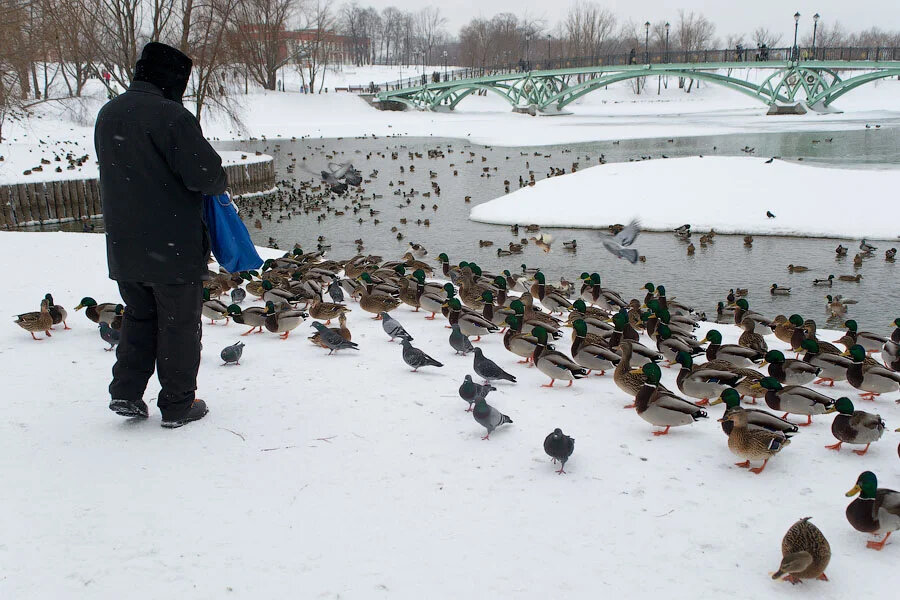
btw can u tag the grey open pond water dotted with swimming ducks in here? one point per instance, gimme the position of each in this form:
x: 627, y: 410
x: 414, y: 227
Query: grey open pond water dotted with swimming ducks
x: 480, y: 172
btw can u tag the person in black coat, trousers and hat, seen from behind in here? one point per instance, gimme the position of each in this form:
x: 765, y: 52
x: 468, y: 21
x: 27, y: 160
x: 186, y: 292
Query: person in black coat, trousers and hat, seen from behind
x: 155, y: 165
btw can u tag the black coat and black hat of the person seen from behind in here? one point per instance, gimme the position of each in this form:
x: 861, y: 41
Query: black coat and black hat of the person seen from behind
x: 155, y: 165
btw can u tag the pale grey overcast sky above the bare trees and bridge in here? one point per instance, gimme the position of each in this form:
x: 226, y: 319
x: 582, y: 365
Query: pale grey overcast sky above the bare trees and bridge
x: 729, y: 16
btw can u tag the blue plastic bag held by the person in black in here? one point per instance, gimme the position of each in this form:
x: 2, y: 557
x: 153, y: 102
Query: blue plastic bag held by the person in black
x: 228, y: 236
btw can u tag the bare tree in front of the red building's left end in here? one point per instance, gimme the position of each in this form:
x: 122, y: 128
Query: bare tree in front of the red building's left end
x: 259, y: 26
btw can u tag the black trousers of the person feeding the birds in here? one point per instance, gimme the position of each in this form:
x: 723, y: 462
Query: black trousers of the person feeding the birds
x: 161, y: 328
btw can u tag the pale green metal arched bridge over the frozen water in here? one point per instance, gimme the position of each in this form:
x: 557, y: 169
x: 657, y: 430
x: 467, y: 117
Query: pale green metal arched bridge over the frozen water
x: 798, y: 81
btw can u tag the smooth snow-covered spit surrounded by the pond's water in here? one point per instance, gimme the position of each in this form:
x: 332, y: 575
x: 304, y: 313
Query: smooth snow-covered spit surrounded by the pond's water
x: 728, y: 194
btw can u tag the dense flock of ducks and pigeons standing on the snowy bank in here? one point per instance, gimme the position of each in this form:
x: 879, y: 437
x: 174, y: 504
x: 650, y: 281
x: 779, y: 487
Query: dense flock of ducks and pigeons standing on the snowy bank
x: 632, y: 338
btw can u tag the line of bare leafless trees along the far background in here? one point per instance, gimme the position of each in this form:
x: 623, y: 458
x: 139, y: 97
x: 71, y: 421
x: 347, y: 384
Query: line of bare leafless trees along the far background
x: 49, y: 45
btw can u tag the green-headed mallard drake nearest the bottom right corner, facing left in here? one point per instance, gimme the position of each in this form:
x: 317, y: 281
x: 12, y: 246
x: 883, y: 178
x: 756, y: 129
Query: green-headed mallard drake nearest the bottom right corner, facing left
x: 876, y: 511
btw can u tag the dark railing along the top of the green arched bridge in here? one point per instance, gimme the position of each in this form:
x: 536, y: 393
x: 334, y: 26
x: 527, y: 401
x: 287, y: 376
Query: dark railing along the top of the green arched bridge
x: 733, y: 55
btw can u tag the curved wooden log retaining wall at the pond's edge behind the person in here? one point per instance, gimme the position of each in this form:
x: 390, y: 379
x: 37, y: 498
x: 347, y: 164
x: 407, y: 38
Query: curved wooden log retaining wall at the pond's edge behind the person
x: 69, y: 200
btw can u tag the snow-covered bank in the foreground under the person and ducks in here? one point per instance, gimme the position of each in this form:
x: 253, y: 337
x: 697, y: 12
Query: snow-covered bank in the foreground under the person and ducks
x: 348, y: 476
